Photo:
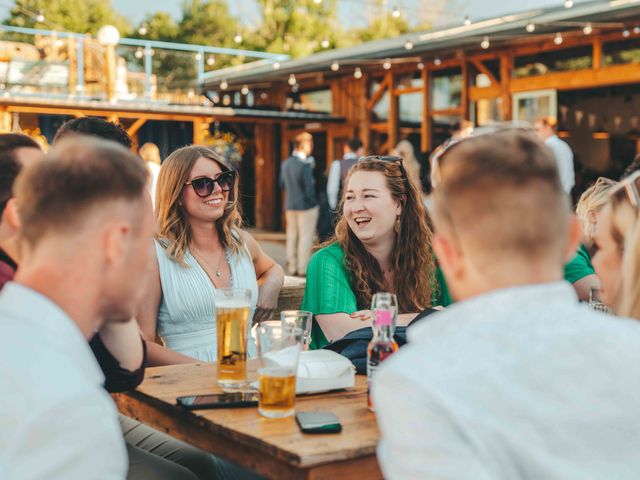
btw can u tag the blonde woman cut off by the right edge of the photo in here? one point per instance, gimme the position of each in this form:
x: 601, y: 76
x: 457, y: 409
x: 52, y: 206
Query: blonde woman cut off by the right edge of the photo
x: 617, y: 238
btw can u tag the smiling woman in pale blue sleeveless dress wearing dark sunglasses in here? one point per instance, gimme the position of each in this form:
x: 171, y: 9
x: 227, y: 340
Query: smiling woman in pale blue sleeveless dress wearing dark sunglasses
x: 200, y: 247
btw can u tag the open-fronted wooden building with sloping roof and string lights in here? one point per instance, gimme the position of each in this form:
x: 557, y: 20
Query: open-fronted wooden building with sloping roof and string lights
x: 579, y: 64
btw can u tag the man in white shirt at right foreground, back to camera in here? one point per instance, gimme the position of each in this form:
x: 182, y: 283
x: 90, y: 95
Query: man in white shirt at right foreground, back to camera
x: 517, y: 380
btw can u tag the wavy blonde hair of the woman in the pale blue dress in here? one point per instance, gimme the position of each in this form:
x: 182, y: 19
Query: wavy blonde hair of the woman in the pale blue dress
x: 172, y: 219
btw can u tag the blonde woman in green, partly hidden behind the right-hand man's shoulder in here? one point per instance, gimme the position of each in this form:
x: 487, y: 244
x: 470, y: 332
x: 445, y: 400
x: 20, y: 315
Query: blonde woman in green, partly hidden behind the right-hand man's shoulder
x: 579, y: 271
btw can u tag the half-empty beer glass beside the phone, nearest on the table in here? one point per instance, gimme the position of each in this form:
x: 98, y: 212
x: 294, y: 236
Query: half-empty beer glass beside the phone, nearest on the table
x: 278, y: 353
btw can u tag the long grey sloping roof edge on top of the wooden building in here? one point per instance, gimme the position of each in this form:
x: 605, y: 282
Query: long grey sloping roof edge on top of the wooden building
x: 500, y: 29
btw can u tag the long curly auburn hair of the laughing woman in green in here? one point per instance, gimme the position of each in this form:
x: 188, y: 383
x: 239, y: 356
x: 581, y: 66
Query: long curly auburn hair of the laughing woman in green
x: 412, y: 258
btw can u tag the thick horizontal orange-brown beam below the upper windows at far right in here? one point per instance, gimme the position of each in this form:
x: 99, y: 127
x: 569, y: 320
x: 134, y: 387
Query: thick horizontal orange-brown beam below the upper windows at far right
x: 587, y: 78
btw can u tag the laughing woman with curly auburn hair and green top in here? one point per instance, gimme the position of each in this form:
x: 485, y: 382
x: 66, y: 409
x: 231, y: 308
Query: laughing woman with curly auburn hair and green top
x: 382, y: 243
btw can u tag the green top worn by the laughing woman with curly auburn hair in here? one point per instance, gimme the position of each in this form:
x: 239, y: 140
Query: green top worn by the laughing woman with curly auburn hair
x: 329, y: 291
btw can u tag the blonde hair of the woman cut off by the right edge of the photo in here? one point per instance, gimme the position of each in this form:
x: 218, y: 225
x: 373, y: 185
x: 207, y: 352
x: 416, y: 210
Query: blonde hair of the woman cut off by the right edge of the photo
x: 625, y: 230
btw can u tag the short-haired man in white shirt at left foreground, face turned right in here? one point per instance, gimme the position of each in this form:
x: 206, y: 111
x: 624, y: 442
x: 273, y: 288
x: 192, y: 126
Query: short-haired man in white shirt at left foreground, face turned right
x: 87, y: 225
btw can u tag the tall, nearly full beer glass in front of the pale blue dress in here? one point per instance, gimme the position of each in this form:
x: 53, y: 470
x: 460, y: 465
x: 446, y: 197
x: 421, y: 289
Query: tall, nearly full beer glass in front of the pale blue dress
x: 232, y: 318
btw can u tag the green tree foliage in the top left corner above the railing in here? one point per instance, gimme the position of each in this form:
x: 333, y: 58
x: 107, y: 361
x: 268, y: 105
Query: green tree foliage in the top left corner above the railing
x: 85, y: 16
